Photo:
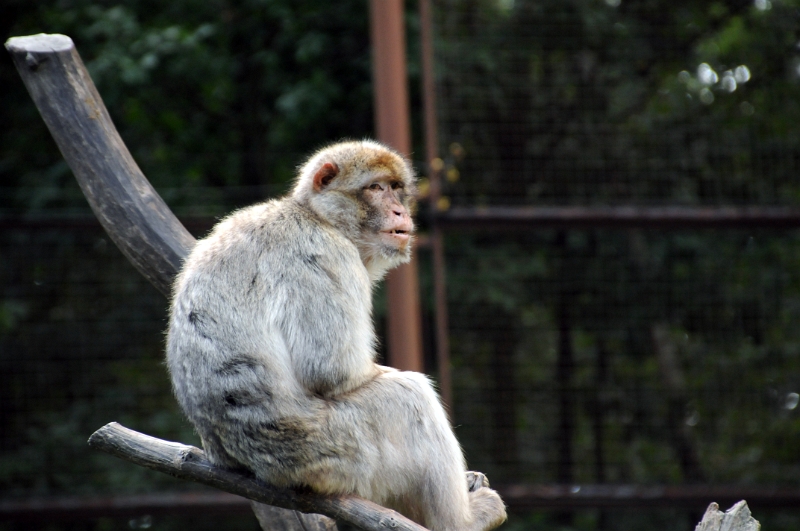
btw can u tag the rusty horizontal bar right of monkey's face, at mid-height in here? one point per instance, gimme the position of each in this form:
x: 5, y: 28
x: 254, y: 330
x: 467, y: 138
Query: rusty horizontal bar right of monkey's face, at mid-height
x: 672, y: 217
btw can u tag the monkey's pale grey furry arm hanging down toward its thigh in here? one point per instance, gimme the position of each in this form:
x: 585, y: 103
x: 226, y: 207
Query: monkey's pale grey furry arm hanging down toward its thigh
x: 327, y: 325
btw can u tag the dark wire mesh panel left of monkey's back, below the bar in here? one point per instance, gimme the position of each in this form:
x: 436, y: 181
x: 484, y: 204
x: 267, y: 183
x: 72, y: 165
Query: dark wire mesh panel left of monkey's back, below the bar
x: 82, y: 345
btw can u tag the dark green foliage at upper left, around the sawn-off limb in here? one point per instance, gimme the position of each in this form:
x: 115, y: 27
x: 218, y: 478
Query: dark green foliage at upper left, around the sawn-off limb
x: 205, y: 94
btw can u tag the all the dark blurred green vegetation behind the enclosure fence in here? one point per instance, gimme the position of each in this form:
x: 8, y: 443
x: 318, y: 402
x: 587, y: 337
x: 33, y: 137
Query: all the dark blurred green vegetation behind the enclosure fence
x: 579, y: 356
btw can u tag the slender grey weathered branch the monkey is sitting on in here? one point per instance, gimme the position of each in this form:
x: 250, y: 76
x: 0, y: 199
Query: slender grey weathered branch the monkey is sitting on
x: 190, y: 463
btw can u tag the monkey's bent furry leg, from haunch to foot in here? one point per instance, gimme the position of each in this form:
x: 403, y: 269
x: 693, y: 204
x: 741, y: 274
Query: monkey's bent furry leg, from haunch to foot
x: 389, y: 441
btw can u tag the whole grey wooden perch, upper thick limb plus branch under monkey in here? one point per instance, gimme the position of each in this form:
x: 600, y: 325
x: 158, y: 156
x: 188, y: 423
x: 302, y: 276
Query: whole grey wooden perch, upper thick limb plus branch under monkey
x: 156, y: 243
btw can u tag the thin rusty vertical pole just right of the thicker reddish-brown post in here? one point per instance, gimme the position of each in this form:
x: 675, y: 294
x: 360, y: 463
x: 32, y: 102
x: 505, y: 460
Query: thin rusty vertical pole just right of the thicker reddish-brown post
x: 435, y: 176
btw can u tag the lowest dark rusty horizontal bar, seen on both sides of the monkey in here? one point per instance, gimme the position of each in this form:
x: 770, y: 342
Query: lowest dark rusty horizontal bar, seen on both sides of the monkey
x: 519, y: 497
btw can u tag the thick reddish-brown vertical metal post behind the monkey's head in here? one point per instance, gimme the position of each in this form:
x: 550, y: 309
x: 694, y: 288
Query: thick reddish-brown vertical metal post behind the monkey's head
x: 404, y: 322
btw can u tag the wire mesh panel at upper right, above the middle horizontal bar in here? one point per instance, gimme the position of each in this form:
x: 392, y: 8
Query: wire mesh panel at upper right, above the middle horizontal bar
x: 605, y: 103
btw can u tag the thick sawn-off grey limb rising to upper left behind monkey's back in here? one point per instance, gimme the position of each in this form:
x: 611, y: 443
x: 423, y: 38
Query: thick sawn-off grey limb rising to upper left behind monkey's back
x: 130, y: 210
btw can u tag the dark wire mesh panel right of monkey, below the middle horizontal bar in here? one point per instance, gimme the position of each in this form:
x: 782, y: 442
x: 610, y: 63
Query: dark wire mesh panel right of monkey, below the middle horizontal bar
x: 627, y: 357
